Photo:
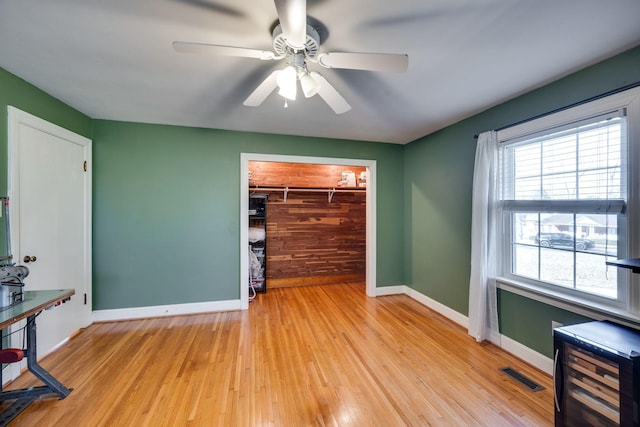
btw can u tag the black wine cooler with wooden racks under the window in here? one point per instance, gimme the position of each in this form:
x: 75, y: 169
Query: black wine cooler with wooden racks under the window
x: 596, y: 375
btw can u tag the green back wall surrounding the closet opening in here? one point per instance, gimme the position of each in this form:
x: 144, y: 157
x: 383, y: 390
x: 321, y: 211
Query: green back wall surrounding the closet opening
x: 167, y: 209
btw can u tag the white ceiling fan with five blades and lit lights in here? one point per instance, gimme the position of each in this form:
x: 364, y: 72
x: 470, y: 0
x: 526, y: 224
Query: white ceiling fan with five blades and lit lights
x: 299, y: 43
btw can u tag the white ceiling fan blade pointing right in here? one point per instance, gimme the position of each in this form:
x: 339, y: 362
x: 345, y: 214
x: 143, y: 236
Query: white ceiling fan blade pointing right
x: 390, y: 62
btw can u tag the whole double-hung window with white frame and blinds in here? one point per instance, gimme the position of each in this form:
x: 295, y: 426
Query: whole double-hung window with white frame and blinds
x: 563, y: 186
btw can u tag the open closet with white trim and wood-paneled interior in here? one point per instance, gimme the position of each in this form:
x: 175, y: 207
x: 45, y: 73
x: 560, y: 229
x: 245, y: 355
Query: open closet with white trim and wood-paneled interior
x: 306, y: 221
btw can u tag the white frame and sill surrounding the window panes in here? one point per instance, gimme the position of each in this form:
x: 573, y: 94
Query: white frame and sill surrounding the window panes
x: 629, y: 310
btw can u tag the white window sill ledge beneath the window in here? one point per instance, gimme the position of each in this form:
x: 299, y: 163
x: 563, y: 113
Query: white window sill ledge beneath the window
x: 580, y: 306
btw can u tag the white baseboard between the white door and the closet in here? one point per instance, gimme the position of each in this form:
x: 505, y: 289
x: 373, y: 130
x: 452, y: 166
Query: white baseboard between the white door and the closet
x: 164, y: 310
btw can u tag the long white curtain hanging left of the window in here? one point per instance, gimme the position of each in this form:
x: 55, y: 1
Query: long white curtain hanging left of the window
x: 483, y: 306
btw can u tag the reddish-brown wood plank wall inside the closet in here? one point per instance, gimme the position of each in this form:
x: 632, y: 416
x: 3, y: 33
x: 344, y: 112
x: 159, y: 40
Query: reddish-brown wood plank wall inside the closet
x: 310, y: 239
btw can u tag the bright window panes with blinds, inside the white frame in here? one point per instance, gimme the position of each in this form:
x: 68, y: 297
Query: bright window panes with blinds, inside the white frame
x: 564, y: 195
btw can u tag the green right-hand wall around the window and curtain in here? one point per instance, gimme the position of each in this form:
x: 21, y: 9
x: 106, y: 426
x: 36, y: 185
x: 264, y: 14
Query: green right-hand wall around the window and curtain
x: 438, y: 182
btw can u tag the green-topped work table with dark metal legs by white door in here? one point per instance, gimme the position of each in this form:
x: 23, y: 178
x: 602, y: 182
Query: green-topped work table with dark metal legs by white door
x: 34, y: 302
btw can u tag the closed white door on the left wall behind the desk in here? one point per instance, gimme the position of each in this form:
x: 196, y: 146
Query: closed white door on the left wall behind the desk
x: 50, y: 213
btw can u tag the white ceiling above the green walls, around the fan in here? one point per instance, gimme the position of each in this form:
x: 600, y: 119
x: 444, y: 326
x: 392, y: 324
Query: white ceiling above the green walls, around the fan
x: 113, y: 59
